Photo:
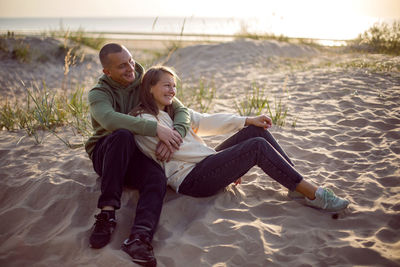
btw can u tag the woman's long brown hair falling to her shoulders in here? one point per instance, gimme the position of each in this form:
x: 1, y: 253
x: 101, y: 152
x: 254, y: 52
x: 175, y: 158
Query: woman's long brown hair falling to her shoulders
x: 147, y: 103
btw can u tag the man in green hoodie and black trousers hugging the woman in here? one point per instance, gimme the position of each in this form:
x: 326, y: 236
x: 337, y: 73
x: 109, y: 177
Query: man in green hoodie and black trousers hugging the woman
x: 118, y: 161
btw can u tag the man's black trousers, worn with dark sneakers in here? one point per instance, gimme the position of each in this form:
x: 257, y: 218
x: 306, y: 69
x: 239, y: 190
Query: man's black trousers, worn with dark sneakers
x: 118, y: 161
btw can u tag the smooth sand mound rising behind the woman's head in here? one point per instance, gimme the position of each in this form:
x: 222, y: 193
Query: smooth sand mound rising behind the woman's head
x: 223, y: 58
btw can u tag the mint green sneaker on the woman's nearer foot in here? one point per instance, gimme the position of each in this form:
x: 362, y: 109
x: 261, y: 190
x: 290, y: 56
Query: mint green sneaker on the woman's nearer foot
x: 327, y: 200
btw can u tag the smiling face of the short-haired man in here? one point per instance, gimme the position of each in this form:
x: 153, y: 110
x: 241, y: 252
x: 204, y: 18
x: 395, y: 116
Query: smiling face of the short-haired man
x: 121, y: 67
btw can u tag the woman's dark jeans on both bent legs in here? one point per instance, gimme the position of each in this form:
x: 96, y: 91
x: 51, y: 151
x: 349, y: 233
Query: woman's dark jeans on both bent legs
x: 236, y: 156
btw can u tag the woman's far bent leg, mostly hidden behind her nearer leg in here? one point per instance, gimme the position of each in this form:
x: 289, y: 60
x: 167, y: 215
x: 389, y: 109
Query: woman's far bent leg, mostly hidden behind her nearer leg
x: 250, y: 132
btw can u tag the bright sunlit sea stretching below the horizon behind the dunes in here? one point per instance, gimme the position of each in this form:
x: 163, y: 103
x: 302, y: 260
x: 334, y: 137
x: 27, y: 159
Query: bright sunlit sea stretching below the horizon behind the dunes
x: 187, y: 28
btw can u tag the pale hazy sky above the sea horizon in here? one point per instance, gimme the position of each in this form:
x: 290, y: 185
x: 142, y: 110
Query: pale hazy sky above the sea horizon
x: 208, y: 8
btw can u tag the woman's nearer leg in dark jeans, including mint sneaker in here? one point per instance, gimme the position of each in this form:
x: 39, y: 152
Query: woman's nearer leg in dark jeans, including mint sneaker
x: 219, y: 170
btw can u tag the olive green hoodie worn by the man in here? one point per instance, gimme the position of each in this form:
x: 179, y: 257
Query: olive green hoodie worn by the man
x: 110, y: 102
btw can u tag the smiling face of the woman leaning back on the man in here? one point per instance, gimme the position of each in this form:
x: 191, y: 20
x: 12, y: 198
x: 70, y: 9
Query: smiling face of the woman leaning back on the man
x: 164, y: 91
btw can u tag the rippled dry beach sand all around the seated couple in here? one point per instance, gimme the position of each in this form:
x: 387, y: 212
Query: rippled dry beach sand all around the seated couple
x: 346, y: 137
